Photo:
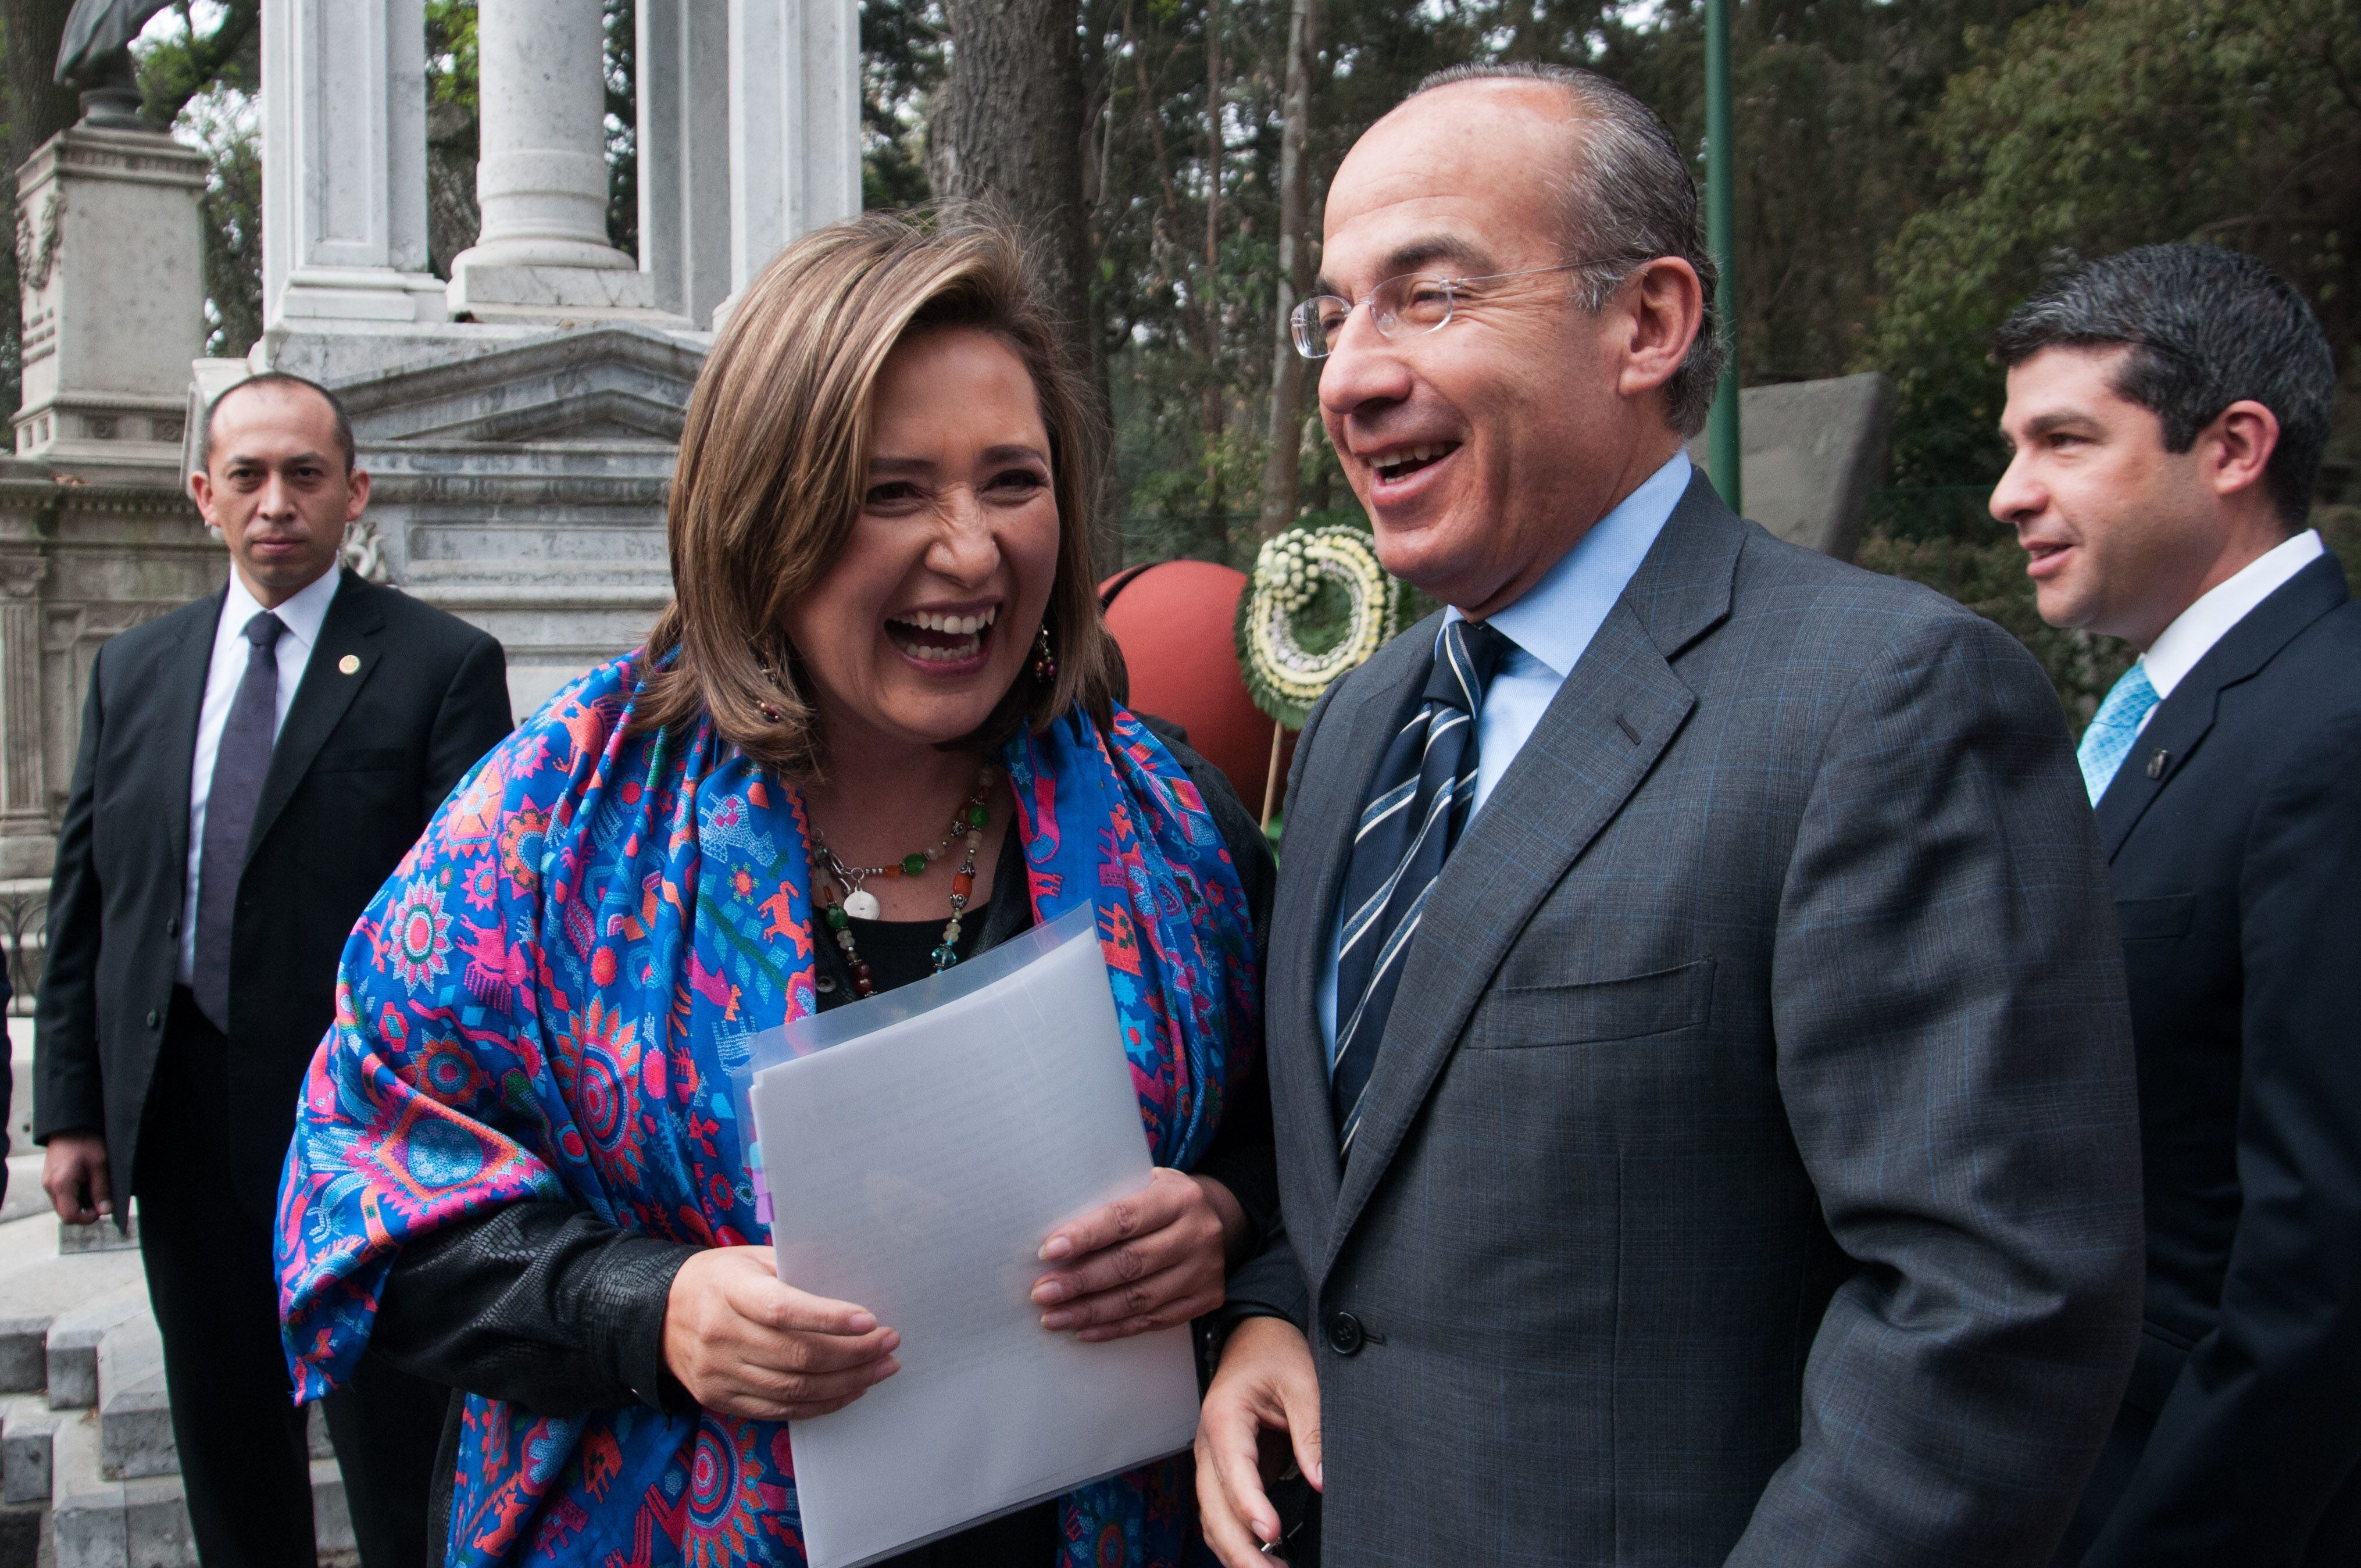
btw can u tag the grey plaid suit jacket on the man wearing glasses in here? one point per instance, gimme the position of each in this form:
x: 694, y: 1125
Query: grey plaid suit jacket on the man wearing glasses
x: 1751, y: 1165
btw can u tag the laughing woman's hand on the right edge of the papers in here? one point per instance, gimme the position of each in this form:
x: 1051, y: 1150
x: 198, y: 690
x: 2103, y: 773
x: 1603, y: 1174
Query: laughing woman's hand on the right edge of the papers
x: 1146, y: 1262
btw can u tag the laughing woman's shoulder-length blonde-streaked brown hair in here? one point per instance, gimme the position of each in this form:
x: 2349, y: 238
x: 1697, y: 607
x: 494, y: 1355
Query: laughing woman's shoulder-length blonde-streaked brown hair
x: 773, y: 464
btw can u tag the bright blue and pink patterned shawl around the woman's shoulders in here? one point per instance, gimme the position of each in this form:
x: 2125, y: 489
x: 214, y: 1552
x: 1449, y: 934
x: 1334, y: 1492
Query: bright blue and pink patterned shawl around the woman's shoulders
x: 544, y: 1002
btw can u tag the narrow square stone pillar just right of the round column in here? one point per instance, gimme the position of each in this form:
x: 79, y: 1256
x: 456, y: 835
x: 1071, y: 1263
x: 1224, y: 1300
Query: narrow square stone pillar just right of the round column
x: 684, y: 60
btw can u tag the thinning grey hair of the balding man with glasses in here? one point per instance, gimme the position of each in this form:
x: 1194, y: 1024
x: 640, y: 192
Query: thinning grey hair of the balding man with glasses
x: 1628, y: 202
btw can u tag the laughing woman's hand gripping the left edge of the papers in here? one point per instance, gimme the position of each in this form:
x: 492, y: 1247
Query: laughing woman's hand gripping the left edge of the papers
x: 752, y: 1347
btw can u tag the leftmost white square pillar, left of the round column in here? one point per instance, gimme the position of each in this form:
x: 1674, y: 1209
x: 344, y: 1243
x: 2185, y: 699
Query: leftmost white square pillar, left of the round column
x: 346, y: 164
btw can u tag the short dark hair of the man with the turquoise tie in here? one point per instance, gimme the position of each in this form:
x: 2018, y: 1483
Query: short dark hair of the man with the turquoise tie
x: 2206, y: 329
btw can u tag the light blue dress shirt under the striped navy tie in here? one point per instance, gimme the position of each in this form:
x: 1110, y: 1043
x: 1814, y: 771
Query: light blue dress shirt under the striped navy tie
x: 1550, y: 627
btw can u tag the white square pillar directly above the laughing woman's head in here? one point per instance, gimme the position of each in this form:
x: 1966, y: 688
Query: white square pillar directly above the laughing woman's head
x: 794, y: 124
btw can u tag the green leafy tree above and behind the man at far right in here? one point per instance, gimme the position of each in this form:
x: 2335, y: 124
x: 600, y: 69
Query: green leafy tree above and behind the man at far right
x: 2102, y: 126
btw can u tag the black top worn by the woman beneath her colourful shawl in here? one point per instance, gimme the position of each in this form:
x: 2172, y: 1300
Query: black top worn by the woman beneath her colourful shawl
x: 547, y: 1307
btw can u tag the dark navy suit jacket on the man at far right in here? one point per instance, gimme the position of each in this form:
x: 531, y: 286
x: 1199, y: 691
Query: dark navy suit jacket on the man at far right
x: 2239, y: 889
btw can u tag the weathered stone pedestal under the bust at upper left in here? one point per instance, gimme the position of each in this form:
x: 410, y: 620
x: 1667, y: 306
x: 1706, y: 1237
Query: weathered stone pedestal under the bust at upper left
x: 115, y: 296
